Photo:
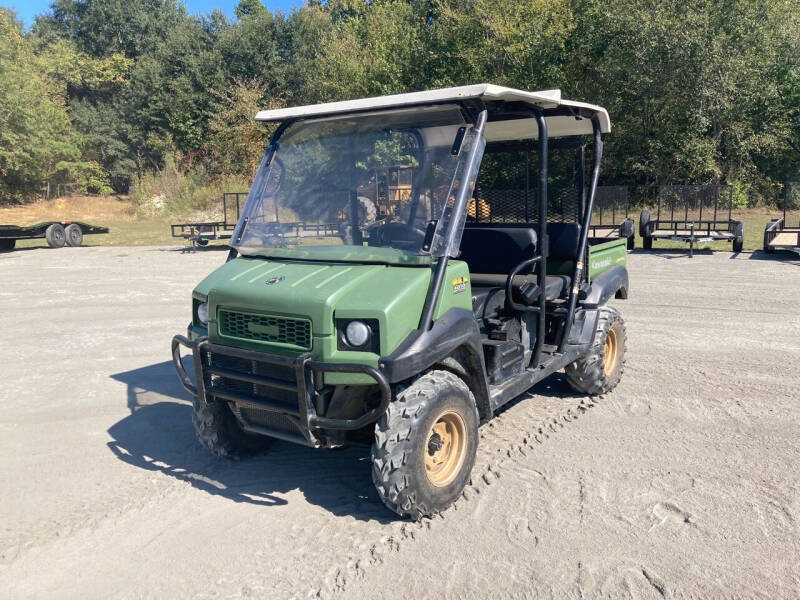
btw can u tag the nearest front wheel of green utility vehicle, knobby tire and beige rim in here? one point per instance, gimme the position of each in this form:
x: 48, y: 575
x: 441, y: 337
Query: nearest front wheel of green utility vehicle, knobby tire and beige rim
x: 425, y: 446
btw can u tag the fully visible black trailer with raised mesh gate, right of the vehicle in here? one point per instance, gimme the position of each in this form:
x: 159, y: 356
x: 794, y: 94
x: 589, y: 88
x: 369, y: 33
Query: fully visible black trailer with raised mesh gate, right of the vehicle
x: 692, y: 214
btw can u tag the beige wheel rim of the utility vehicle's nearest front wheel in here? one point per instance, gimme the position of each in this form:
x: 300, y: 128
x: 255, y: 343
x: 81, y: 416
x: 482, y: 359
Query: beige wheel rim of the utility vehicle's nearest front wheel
x: 445, y: 449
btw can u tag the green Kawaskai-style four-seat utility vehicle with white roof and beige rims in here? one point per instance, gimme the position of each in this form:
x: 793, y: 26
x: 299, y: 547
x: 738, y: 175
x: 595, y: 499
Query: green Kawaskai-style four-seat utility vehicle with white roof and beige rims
x: 409, y: 318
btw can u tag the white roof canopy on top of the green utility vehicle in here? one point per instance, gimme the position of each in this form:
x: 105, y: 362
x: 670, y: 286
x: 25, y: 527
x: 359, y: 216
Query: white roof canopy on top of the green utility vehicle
x: 559, y: 125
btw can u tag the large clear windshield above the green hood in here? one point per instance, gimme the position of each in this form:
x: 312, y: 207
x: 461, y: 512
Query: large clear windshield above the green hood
x: 369, y: 187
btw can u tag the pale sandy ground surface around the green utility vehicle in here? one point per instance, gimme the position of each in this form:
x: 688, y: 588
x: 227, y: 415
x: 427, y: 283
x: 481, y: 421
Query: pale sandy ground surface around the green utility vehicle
x: 683, y: 482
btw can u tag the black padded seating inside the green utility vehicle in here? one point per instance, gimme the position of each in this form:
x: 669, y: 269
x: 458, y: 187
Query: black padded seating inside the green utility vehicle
x: 492, y: 253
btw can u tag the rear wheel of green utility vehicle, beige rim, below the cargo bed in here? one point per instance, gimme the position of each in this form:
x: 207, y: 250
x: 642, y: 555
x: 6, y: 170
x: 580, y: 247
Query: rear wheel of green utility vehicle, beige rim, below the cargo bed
x: 600, y: 370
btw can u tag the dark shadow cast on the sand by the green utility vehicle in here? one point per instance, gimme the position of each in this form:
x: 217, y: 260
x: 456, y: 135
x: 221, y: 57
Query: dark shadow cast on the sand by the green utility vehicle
x: 158, y: 436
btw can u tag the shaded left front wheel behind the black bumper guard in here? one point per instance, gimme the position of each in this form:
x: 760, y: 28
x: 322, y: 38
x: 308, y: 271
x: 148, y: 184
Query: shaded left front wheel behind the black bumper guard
x: 219, y: 431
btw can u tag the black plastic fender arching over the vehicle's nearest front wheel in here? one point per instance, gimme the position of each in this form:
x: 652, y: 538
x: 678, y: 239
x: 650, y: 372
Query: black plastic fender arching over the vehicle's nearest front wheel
x: 454, y: 335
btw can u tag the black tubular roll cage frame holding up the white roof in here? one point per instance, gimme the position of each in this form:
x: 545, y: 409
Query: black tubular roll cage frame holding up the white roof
x: 476, y: 111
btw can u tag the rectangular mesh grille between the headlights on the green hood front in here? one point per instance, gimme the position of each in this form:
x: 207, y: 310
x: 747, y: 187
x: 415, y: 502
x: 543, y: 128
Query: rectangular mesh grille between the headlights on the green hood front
x: 286, y: 331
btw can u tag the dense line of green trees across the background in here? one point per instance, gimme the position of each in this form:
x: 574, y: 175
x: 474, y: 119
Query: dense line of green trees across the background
x: 99, y: 93
